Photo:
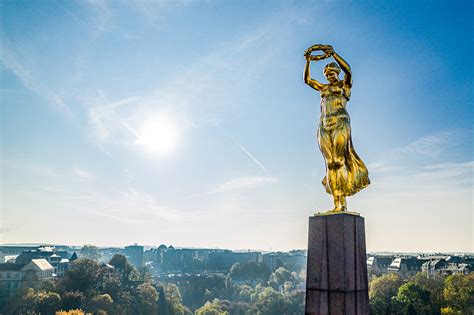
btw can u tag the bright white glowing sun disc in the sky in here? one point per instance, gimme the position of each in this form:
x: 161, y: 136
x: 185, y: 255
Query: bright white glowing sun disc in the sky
x: 158, y: 135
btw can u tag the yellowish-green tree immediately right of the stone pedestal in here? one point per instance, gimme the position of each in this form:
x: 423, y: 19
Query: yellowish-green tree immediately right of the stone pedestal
x: 381, y: 291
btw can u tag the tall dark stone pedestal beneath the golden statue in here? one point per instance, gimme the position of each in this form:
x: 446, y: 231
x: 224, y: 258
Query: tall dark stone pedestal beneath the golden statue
x: 336, y: 280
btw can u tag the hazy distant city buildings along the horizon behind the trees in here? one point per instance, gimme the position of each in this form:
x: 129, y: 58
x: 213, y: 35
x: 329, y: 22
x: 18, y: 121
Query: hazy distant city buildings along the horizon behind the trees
x: 20, y: 264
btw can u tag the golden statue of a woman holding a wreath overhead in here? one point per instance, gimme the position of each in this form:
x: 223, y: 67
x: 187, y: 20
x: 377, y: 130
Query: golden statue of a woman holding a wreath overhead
x: 346, y: 174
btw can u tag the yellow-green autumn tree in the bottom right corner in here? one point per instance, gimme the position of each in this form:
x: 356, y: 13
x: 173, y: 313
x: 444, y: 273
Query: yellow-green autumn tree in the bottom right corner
x: 459, y: 292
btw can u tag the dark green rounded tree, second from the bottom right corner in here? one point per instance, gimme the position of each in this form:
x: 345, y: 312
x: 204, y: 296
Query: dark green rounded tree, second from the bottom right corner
x: 412, y: 299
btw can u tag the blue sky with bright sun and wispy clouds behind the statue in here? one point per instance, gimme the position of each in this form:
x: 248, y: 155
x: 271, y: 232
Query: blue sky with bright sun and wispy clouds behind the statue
x: 188, y: 122
